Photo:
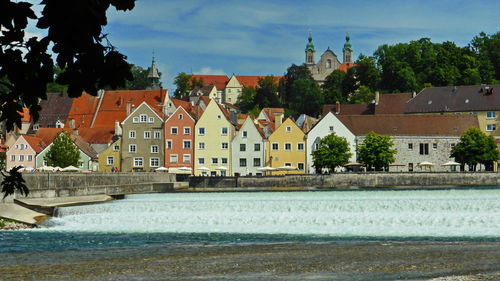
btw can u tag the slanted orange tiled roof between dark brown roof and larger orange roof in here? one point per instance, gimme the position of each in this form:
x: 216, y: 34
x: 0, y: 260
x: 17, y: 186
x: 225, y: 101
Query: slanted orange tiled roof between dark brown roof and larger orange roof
x: 82, y: 111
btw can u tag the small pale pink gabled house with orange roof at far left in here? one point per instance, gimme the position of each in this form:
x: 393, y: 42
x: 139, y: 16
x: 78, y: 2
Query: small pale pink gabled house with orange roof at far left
x: 23, y: 152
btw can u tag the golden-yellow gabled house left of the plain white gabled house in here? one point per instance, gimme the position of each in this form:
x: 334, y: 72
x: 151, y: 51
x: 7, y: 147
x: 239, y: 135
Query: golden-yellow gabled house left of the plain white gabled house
x: 286, y: 150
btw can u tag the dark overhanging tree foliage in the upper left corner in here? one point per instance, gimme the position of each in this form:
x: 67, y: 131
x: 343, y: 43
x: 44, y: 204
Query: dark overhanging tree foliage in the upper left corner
x: 80, y: 47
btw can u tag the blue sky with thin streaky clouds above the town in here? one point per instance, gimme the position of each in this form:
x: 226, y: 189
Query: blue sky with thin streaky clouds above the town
x: 265, y: 37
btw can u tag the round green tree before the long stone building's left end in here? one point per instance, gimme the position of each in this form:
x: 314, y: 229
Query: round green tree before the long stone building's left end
x: 375, y: 151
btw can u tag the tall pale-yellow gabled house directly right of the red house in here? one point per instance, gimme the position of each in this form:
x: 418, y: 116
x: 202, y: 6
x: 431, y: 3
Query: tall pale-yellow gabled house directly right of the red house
x: 213, y: 135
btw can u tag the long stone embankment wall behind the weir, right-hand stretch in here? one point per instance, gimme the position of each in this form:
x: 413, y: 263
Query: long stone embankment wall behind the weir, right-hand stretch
x: 346, y: 180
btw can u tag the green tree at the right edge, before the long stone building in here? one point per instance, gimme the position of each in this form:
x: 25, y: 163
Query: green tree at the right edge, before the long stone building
x: 476, y: 147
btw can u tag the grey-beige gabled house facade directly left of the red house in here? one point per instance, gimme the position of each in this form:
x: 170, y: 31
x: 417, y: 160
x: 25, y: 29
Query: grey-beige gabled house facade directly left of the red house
x: 142, y: 140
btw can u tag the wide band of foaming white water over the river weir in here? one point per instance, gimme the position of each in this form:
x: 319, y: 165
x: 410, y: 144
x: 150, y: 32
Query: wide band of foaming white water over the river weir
x: 440, y: 213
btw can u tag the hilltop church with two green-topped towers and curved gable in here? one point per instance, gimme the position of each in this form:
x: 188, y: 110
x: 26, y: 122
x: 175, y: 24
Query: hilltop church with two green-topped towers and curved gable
x: 328, y: 61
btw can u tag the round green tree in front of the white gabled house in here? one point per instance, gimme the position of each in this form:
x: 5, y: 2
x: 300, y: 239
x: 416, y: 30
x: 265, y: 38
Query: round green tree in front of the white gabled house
x: 333, y: 151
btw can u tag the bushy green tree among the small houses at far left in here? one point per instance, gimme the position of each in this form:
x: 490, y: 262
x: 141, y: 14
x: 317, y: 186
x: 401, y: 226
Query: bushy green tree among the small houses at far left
x: 63, y: 152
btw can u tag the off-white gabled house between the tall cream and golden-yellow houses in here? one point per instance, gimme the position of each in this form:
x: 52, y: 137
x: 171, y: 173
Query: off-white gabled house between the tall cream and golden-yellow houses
x: 248, y: 149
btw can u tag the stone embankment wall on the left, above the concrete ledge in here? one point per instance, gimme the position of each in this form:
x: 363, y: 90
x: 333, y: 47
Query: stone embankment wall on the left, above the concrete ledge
x: 42, y: 185
